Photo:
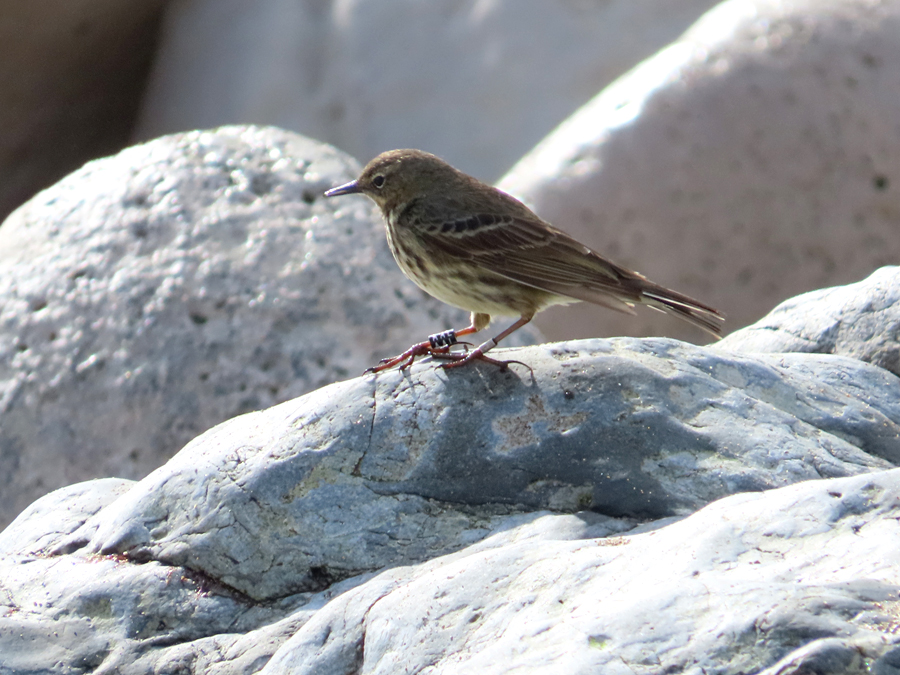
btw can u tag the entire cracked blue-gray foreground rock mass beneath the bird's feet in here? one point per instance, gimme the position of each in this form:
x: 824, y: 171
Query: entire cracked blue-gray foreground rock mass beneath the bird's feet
x: 628, y: 506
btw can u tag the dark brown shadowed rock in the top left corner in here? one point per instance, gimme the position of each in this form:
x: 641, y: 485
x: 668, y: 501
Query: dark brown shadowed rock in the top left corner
x: 73, y: 76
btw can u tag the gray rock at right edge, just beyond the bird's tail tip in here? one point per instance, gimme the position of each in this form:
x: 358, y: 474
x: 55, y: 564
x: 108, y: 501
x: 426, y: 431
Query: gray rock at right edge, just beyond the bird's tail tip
x: 861, y: 320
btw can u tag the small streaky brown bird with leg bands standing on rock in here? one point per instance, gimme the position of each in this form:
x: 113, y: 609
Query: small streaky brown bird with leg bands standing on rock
x: 472, y: 246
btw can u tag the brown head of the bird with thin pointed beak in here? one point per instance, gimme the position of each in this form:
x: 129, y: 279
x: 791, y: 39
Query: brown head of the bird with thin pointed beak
x: 396, y: 177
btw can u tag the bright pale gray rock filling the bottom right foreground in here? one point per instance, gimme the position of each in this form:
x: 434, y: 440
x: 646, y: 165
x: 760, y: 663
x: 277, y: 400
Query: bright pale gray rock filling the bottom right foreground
x: 733, y: 588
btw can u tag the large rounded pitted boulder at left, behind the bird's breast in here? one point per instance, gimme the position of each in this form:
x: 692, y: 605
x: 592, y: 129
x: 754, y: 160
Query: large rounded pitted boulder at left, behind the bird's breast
x: 153, y: 294
